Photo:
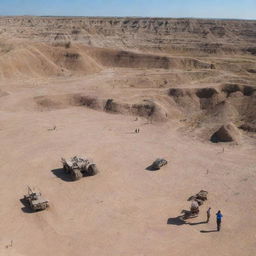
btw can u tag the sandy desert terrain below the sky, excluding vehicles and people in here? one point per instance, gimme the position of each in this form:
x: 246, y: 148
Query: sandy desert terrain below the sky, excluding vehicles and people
x: 97, y: 80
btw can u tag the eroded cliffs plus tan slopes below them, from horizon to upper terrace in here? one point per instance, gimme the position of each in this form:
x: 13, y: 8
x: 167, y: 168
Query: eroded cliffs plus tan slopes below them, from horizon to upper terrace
x: 68, y: 46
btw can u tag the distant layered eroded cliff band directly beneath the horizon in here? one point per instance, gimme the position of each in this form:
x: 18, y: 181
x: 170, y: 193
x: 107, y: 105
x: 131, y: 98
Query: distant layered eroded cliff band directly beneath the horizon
x: 143, y: 34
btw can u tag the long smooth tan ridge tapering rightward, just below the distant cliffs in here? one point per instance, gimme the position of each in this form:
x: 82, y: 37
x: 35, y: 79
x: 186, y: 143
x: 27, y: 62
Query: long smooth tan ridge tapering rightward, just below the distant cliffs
x: 62, y: 58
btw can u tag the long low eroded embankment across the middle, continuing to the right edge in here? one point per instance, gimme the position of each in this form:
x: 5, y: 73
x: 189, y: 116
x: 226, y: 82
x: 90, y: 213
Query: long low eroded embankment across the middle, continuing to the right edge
x: 209, y: 105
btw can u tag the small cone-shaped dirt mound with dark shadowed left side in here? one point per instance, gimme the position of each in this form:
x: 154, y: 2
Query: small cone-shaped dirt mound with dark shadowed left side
x: 226, y: 133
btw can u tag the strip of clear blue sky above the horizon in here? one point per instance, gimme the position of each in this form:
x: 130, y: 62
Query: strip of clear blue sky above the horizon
x: 240, y: 9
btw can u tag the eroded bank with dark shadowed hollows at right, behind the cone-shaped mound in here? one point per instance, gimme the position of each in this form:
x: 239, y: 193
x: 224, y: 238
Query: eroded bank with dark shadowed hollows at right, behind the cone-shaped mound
x: 231, y: 101
